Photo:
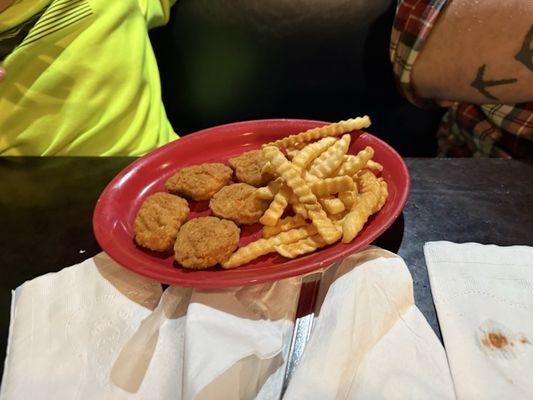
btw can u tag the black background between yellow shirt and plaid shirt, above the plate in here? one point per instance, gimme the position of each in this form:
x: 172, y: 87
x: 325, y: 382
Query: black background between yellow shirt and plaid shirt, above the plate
x: 227, y: 61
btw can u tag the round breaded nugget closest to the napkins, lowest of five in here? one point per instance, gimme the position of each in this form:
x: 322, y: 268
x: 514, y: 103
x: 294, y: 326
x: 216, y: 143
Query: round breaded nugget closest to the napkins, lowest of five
x: 206, y: 241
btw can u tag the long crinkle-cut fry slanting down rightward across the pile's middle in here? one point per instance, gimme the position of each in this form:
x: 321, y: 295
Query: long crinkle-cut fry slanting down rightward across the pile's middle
x: 291, y: 175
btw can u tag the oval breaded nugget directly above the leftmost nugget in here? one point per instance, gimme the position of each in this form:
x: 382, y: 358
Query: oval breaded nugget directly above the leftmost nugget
x: 199, y: 182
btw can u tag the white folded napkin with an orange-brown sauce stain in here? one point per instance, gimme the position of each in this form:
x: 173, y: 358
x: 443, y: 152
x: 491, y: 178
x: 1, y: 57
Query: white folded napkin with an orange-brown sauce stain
x: 484, y: 300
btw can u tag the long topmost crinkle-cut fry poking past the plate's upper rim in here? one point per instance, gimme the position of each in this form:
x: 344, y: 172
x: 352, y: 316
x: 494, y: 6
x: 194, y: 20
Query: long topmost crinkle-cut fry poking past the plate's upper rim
x: 335, y: 129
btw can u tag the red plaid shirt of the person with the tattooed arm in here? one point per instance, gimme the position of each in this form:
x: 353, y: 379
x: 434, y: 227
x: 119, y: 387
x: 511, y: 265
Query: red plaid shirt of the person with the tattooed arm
x: 490, y: 130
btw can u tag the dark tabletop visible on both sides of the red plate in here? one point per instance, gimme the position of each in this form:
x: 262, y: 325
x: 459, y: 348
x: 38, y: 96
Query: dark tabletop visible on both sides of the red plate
x: 46, y: 207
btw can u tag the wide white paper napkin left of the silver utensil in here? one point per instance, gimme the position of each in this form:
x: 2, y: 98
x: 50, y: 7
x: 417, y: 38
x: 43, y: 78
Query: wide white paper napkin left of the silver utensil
x: 98, y: 331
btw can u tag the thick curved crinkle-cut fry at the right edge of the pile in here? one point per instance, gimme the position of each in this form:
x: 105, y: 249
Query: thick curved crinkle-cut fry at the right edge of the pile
x: 369, y: 201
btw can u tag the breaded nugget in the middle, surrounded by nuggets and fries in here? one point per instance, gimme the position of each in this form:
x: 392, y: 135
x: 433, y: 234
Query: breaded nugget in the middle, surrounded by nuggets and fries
x: 238, y: 203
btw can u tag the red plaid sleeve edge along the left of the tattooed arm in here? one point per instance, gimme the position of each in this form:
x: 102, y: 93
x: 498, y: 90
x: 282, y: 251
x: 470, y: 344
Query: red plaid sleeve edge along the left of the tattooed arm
x: 412, y: 26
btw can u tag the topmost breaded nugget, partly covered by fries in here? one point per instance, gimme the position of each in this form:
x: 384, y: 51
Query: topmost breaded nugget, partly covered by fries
x: 249, y: 168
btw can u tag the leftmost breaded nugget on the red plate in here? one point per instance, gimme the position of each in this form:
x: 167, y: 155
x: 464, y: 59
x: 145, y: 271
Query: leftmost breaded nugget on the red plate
x: 158, y: 221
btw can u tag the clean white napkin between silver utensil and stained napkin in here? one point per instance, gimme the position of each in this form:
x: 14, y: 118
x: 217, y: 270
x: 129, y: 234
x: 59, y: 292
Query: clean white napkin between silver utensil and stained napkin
x: 370, y: 341
